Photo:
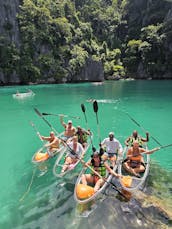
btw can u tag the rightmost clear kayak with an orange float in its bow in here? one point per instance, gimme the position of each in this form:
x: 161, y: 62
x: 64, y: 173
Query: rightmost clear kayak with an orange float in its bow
x: 130, y: 182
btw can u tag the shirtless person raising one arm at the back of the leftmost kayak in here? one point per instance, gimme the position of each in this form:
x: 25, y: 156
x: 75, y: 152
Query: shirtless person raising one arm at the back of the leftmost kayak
x: 70, y: 130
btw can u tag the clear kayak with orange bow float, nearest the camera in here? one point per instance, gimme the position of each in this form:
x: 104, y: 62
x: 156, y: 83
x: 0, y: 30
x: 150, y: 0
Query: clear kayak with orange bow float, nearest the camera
x: 88, y: 193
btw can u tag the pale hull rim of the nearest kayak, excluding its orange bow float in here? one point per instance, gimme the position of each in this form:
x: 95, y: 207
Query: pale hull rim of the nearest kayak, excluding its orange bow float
x: 108, y: 178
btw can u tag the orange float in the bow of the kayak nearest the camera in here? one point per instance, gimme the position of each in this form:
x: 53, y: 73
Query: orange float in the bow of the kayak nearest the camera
x: 84, y: 191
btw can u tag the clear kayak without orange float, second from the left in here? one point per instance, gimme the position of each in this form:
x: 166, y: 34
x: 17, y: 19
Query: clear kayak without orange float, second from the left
x: 61, y: 160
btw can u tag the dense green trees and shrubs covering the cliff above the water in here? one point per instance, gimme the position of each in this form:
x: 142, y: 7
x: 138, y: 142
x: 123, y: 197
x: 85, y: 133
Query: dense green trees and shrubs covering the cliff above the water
x: 58, y: 36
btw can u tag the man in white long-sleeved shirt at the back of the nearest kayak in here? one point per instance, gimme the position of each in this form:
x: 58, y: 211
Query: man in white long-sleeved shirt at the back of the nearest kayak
x: 112, y: 148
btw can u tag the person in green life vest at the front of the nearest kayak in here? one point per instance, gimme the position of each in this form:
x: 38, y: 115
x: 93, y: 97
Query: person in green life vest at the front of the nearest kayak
x: 99, y: 166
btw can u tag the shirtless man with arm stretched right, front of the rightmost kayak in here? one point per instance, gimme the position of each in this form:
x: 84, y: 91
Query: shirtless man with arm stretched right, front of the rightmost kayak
x: 134, y: 162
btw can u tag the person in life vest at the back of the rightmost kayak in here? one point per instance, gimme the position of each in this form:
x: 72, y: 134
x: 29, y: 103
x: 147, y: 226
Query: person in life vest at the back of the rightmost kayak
x: 135, y: 137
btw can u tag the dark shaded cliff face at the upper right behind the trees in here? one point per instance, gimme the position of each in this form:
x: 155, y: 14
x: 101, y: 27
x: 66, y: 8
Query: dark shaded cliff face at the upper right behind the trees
x: 141, y: 14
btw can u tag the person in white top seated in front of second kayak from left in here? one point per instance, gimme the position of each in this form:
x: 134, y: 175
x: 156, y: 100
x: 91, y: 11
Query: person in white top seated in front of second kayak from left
x: 76, y: 152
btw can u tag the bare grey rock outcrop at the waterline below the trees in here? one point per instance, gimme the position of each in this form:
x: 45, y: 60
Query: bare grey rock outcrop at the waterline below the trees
x: 92, y: 71
